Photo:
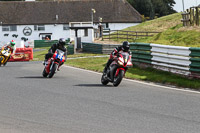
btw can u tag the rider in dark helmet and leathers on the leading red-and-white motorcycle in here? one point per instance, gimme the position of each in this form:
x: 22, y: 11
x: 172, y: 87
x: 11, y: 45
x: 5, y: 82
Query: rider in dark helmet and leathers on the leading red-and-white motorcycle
x: 124, y: 47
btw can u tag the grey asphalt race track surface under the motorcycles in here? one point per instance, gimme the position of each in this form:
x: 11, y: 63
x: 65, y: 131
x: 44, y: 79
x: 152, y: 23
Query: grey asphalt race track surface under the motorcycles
x: 74, y: 101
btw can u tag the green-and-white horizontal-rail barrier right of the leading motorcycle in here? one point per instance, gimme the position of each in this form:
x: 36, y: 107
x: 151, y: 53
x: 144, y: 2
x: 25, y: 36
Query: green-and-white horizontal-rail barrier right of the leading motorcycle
x: 175, y: 59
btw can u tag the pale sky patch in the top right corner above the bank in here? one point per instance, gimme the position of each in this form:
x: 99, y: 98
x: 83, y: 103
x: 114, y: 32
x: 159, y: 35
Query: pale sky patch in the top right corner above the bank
x: 187, y: 4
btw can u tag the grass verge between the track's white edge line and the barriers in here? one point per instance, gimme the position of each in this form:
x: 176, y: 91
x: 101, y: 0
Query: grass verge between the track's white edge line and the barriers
x: 167, y: 78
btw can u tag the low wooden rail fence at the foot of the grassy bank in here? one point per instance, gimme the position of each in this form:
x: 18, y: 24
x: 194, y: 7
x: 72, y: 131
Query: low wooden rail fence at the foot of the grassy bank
x: 126, y: 35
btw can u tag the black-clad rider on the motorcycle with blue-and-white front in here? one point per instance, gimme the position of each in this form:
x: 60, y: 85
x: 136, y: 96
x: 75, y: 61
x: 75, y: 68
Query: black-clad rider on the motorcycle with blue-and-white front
x: 60, y: 45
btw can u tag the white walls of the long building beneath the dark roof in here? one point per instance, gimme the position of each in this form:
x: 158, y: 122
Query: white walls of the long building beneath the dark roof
x: 57, y: 32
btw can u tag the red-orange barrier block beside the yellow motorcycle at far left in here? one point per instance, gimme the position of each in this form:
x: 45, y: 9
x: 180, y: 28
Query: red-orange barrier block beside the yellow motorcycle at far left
x: 22, y: 54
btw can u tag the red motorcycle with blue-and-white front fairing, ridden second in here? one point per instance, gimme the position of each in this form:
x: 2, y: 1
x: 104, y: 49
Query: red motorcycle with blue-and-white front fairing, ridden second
x: 54, y: 63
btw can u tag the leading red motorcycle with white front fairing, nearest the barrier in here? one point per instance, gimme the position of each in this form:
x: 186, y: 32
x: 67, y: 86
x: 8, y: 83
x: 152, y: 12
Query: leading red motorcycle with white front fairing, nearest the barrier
x: 117, y: 69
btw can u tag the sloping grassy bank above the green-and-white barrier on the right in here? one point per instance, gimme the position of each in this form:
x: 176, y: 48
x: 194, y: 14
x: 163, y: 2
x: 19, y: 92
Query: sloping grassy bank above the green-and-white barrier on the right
x: 172, y: 32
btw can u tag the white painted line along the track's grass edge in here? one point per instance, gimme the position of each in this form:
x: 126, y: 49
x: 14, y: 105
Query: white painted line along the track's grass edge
x: 141, y: 82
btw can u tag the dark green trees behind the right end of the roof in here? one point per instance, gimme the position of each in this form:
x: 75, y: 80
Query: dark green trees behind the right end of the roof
x: 153, y: 8
